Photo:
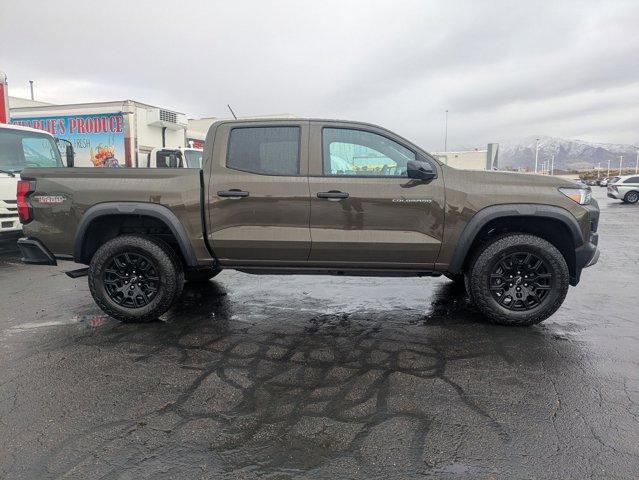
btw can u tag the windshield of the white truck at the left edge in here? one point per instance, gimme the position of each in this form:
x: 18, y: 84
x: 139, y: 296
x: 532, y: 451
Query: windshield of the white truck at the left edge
x: 20, y: 149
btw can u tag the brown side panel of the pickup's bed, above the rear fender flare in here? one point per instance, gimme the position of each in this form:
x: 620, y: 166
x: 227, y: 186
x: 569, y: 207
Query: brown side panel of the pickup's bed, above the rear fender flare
x: 63, y: 195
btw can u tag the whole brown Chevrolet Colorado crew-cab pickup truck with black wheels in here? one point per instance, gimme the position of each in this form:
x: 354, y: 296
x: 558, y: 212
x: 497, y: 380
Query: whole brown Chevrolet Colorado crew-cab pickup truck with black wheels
x: 311, y: 197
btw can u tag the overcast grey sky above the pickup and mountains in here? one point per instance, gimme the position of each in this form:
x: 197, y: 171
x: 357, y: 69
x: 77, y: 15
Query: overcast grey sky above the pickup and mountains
x: 503, y: 69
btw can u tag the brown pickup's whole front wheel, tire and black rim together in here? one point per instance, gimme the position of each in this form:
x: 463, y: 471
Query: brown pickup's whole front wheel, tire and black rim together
x: 518, y: 279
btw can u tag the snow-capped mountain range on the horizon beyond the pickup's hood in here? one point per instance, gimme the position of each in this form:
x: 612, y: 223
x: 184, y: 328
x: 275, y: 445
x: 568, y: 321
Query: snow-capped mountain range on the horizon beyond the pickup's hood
x: 569, y: 154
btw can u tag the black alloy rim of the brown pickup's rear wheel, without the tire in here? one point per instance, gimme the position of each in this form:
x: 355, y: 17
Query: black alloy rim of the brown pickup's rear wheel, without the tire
x: 131, y: 279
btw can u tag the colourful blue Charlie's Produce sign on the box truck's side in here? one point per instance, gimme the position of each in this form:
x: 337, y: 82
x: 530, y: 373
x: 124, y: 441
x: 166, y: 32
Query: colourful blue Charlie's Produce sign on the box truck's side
x: 98, y: 140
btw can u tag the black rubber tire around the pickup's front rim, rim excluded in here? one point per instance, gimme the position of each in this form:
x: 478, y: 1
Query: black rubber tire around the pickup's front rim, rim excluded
x: 491, y: 252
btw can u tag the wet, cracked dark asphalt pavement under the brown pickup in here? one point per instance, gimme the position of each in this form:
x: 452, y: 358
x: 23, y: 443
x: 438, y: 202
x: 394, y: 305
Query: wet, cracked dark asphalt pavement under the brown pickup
x: 322, y: 377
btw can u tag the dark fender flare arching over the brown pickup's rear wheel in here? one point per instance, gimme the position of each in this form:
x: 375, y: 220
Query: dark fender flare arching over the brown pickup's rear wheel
x: 154, y: 210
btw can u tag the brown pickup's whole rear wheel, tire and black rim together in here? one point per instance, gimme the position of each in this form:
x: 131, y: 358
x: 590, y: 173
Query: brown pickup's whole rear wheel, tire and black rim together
x: 135, y: 278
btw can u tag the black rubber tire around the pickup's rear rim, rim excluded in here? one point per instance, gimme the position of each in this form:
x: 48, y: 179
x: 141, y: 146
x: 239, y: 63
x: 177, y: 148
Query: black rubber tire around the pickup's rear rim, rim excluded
x: 166, y: 262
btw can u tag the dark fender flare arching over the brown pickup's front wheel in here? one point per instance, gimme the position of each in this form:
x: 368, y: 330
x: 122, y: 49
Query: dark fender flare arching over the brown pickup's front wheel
x: 482, y: 217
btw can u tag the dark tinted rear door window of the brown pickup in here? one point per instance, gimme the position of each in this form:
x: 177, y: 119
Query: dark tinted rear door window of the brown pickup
x: 265, y: 150
